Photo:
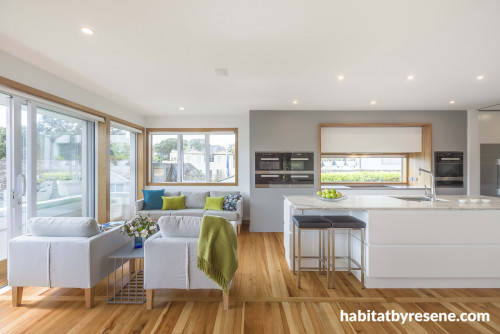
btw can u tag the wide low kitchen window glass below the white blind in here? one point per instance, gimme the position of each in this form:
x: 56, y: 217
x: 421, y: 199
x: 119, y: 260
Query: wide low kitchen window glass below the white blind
x: 363, y: 168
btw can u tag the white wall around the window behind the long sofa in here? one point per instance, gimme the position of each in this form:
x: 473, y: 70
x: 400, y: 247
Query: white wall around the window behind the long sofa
x: 241, y: 121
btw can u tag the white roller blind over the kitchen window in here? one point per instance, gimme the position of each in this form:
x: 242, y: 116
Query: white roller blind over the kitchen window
x: 371, y: 139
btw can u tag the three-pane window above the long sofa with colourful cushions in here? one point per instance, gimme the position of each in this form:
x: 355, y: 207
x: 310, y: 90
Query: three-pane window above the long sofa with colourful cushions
x: 192, y: 157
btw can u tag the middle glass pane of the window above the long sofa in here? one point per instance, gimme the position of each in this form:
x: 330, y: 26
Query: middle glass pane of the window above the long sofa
x: 194, y: 167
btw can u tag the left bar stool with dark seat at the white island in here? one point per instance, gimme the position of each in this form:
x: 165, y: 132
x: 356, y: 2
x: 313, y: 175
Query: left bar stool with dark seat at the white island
x: 322, y: 225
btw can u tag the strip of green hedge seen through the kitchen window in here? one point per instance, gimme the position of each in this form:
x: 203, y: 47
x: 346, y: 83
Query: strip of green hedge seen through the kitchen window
x: 361, y: 177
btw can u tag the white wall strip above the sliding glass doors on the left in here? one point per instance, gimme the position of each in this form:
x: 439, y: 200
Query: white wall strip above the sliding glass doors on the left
x: 25, y: 73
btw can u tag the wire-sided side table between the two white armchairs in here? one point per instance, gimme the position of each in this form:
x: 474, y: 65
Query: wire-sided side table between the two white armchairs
x: 132, y: 283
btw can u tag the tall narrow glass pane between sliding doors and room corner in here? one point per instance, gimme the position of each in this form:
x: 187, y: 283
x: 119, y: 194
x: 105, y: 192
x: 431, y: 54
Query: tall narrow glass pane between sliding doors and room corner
x: 122, y: 174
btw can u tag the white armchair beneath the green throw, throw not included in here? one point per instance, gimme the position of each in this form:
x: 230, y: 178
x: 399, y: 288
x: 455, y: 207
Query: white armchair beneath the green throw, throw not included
x: 170, y: 258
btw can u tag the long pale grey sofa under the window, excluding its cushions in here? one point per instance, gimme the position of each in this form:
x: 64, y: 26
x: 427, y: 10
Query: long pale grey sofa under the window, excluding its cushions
x: 195, y: 202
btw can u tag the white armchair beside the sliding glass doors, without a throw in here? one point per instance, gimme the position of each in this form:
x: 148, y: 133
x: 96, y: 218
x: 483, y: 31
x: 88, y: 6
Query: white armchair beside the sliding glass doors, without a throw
x: 62, y: 252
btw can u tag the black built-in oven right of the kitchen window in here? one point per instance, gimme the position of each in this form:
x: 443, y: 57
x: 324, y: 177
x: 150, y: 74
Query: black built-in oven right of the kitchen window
x: 449, y: 169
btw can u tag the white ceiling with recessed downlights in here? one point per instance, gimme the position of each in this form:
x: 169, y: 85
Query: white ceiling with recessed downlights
x: 157, y: 55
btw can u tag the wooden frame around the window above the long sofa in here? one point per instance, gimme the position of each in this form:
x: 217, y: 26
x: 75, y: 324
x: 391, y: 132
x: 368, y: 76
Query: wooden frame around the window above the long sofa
x: 150, y: 131
